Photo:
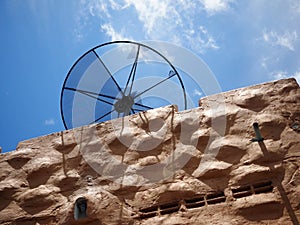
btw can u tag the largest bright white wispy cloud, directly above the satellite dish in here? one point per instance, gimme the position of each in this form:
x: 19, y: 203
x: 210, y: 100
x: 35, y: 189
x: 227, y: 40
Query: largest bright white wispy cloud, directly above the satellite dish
x: 175, y: 22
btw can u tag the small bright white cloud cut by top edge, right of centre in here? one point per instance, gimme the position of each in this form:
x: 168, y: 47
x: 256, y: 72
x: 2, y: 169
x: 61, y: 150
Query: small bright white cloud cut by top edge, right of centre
x: 215, y: 6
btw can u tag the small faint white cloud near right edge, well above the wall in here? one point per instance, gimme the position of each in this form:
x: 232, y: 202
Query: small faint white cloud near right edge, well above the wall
x: 287, y: 40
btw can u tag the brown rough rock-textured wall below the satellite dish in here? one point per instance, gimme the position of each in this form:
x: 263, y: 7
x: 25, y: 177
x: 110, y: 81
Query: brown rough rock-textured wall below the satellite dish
x: 127, y: 172
